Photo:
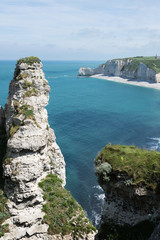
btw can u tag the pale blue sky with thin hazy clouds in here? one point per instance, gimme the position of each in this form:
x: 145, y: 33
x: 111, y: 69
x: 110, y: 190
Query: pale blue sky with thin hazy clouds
x: 79, y: 29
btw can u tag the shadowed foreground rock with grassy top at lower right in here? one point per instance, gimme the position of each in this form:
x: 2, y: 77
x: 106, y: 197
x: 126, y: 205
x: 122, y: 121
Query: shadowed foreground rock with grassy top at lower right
x: 130, y: 178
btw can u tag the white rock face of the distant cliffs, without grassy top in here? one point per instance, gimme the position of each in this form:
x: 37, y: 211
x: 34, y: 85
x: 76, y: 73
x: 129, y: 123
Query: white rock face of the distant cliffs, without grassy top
x: 123, y: 68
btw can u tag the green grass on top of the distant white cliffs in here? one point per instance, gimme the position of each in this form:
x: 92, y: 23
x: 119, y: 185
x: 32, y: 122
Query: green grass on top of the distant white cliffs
x: 150, y: 62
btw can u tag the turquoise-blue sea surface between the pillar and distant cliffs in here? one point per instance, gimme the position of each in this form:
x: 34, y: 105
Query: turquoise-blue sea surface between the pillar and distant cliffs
x: 86, y: 114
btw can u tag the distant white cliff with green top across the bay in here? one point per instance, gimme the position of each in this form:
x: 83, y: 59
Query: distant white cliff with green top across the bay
x: 142, y: 68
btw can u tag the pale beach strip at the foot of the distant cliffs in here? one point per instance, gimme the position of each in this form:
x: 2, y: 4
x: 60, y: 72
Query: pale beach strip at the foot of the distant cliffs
x: 127, y: 81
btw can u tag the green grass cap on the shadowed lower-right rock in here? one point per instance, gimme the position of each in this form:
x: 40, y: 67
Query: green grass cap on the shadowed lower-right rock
x: 141, y: 165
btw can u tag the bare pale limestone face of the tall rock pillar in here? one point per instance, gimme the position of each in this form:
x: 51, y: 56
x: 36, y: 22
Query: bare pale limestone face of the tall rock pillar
x: 32, y: 152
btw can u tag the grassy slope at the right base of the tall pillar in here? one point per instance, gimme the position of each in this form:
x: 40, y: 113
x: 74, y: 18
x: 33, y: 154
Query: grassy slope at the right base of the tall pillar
x: 63, y: 214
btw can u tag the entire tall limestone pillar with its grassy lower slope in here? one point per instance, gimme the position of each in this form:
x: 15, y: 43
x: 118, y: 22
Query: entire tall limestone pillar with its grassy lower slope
x: 33, y: 166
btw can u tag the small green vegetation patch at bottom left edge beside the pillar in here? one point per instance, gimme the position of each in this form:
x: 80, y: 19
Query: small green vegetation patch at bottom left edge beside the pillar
x: 4, y: 214
